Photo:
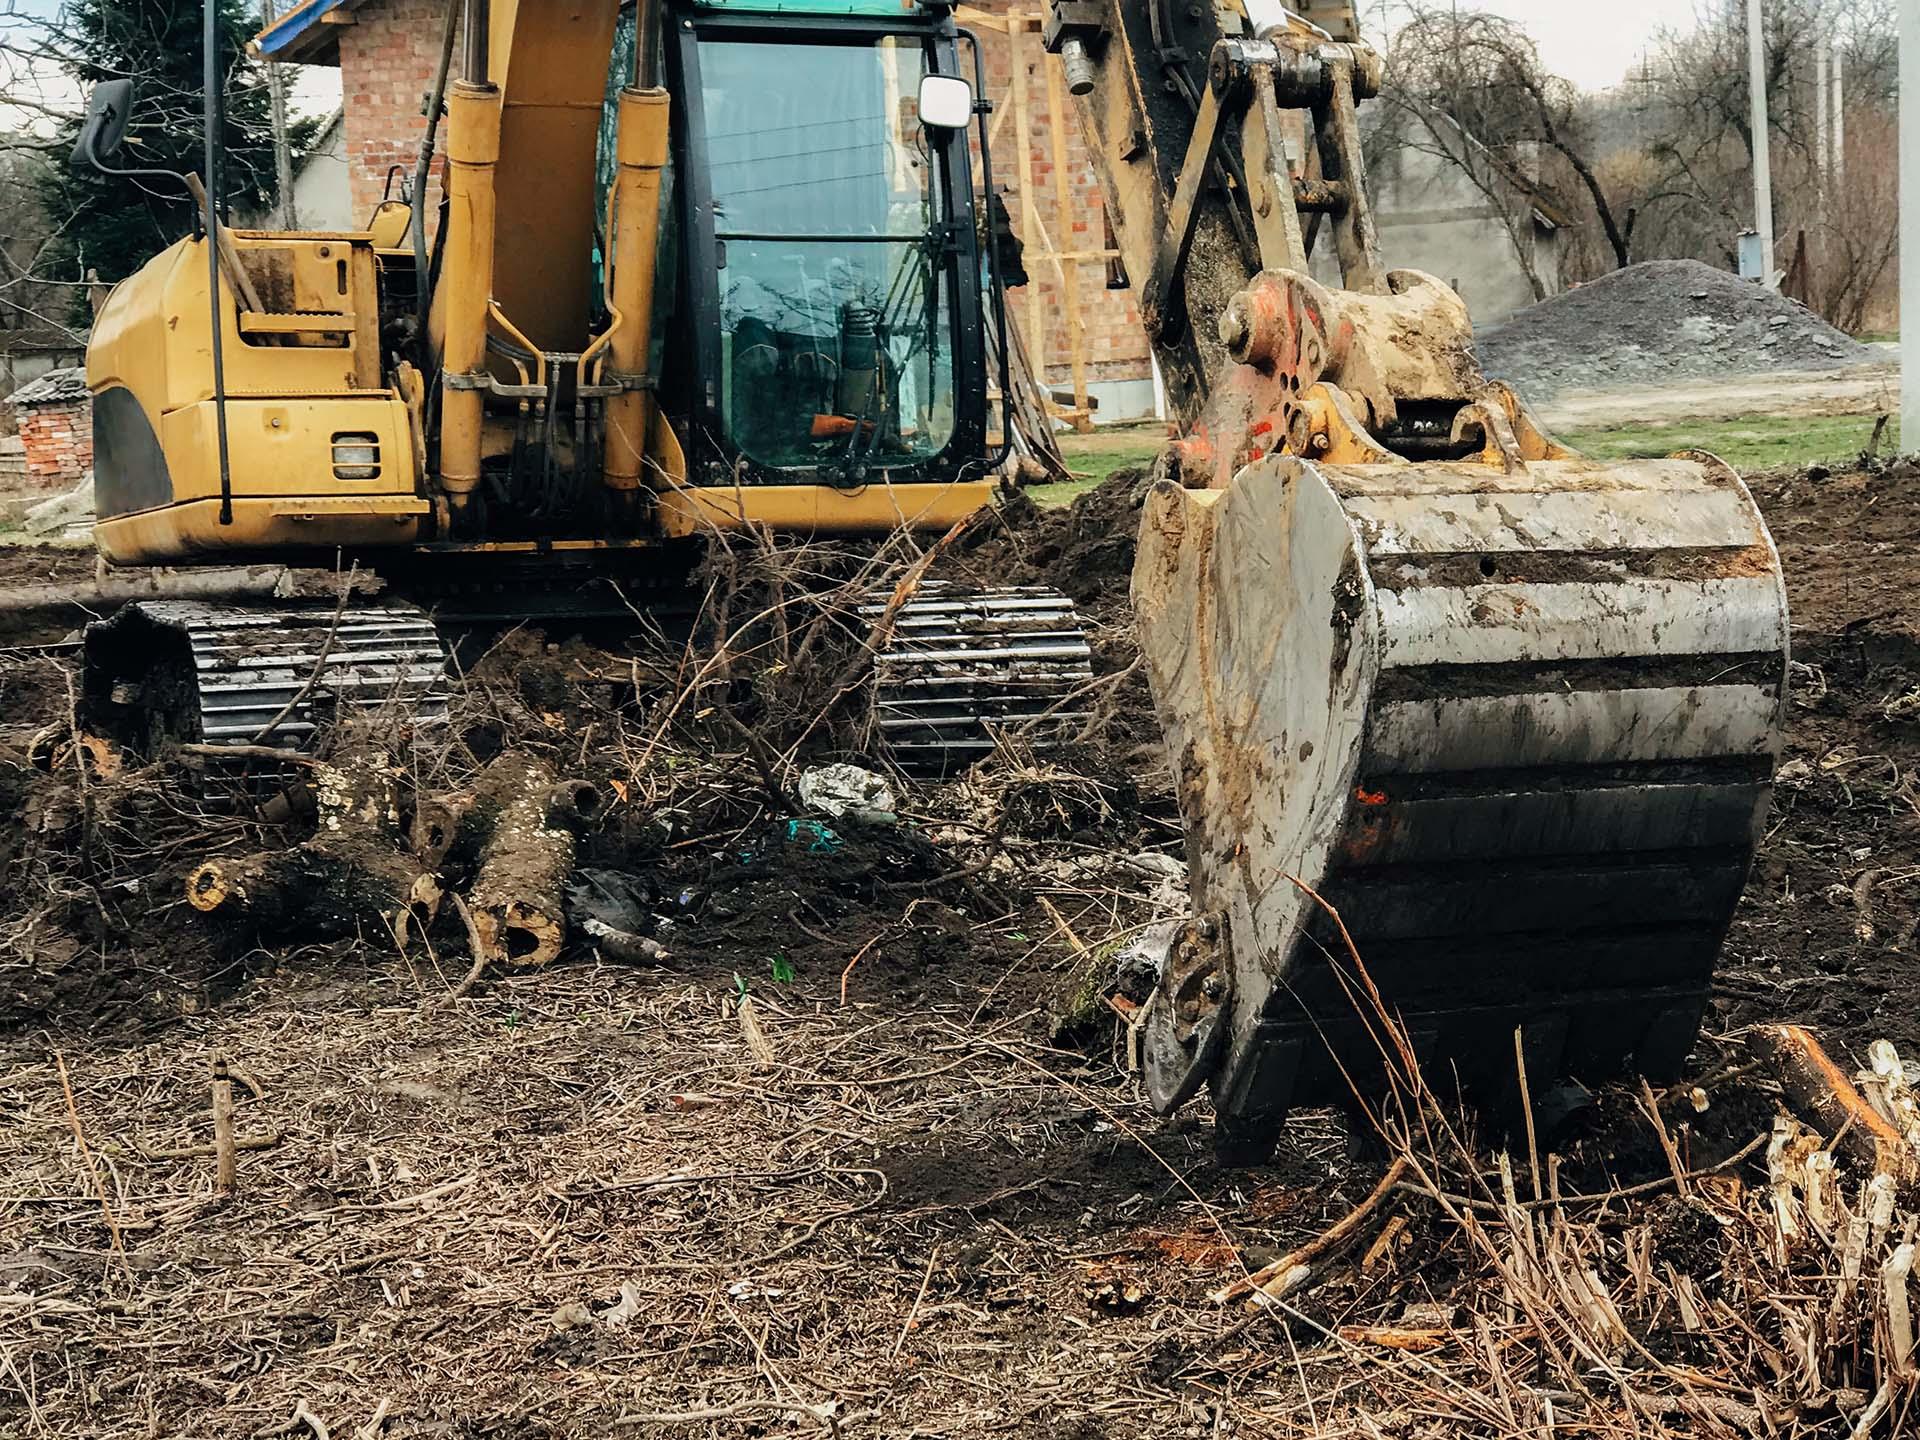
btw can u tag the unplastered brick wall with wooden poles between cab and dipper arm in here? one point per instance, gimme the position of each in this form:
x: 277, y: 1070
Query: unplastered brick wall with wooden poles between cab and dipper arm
x: 1113, y: 343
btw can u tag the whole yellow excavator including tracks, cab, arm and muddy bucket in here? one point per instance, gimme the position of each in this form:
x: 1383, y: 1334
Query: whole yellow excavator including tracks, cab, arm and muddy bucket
x: 1470, y: 732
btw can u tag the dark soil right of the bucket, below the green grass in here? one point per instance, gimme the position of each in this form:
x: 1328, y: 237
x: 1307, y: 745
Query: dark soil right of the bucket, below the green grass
x: 1829, y: 926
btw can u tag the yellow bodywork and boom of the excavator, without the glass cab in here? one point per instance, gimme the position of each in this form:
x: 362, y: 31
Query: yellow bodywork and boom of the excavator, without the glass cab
x: 306, y: 362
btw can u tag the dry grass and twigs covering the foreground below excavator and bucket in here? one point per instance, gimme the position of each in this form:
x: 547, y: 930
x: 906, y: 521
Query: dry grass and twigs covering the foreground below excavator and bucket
x: 594, y: 1201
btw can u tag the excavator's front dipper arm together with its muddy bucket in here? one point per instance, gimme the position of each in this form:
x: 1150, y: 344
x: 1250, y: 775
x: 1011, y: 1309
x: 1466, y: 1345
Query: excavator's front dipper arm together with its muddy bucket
x: 1472, y: 734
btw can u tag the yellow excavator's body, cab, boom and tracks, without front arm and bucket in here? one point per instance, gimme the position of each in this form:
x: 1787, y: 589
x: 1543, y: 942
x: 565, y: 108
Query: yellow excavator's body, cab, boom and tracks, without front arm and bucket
x: 734, y: 281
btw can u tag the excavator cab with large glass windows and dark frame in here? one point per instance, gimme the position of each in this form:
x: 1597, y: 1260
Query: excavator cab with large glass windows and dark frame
x: 832, y: 277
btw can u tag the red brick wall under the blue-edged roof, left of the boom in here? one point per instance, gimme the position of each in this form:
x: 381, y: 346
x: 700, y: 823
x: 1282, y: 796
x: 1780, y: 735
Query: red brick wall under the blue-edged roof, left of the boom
x: 387, y: 70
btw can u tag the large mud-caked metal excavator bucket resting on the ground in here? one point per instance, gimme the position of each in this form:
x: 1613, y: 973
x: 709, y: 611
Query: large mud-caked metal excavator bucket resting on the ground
x: 1466, y: 748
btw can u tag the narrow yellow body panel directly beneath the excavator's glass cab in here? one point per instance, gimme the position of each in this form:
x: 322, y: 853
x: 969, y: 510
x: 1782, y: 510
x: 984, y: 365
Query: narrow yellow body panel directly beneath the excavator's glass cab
x: 821, y: 510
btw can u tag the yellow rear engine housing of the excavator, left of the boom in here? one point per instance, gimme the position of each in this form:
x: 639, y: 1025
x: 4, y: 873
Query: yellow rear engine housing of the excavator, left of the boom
x: 297, y: 377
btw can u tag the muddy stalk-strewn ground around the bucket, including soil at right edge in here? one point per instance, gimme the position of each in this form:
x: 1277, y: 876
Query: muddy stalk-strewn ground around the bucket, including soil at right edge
x: 585, y: 1201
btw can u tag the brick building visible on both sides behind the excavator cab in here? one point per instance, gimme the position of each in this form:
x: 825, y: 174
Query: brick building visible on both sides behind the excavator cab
x: 387, y: 53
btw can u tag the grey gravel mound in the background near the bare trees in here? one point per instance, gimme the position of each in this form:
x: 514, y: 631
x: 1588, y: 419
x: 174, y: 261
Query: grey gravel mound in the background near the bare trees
x: 1656, y: 322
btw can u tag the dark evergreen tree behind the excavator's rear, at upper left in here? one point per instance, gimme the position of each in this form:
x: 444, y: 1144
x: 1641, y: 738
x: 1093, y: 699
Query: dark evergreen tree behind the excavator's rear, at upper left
x: 114, y: 226
